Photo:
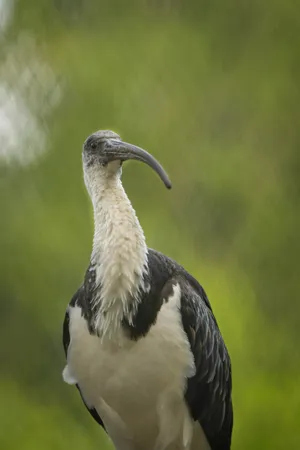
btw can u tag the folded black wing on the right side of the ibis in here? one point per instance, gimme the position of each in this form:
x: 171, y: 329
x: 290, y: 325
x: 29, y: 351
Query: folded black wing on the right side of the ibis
x: 208, y: 393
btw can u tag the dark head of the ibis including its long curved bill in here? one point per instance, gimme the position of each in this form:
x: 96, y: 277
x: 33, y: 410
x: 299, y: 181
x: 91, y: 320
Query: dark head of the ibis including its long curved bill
x: 103, y: 155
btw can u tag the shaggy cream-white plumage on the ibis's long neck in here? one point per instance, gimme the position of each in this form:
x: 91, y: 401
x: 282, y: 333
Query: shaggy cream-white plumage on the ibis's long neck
x: 119, y: 256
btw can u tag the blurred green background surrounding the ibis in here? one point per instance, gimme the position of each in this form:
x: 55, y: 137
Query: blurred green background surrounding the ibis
x: 212, y: 88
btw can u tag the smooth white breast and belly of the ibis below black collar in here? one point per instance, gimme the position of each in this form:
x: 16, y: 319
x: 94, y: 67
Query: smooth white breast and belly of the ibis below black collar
x: 138, y: 387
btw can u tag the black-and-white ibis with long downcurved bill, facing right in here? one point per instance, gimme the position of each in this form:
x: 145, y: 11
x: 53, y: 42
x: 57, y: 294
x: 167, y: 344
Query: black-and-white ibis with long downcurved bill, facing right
x: 141, y: 341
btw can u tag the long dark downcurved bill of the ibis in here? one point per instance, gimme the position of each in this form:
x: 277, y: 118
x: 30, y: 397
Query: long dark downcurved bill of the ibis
x: 124, y: 151
